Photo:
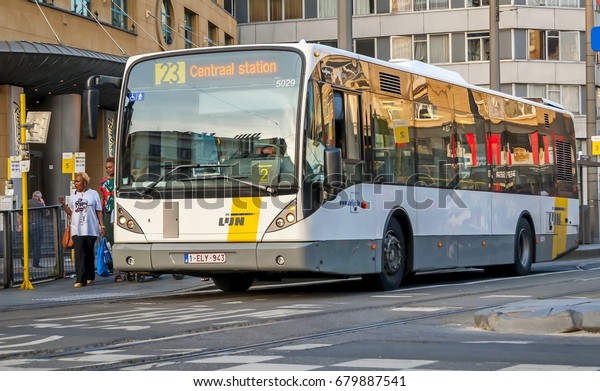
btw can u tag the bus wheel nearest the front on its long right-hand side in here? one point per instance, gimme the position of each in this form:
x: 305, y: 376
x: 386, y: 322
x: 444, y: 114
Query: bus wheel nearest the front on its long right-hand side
x: 393, y: 260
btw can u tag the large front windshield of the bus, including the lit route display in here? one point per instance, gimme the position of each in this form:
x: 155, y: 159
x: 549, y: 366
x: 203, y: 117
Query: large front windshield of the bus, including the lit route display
x: 211, y: 123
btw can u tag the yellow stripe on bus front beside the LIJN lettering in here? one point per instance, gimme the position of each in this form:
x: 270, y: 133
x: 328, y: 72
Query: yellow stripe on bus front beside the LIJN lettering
x: 245, y: 212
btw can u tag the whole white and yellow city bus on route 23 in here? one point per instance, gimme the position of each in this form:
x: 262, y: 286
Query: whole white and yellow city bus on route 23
x: 262, y: 161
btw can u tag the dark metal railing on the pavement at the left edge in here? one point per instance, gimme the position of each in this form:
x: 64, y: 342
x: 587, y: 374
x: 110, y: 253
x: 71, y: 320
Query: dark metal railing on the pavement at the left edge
x: 46, y: 225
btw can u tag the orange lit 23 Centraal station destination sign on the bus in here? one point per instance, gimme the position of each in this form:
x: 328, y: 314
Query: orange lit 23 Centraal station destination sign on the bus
x: 178, y: 72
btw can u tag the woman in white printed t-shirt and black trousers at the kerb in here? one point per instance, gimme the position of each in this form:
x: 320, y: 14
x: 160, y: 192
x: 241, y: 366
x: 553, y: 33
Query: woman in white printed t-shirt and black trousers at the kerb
x: 85, y: 210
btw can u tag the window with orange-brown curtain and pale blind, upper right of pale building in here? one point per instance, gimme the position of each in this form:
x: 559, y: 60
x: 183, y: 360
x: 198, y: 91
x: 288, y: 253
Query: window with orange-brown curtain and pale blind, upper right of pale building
x: 554, y: 45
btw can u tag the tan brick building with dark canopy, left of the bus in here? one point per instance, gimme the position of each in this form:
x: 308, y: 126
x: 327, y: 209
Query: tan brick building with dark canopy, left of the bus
x: 48, y: 49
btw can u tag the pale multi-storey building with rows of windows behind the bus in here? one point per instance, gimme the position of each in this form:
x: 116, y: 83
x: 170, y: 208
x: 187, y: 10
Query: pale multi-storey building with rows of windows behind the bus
x: 542, y: 43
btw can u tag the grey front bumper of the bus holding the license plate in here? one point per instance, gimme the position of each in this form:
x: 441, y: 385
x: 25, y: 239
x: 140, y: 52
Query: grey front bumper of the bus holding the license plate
x: 332, y: 257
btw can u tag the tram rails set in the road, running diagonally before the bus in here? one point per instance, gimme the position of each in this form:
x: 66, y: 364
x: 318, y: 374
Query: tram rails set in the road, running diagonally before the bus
x: 203, y: 353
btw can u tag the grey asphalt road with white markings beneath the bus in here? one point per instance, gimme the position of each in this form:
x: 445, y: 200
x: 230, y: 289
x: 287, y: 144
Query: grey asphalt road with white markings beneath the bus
x: 319, y: 326
